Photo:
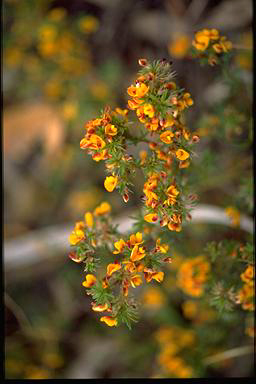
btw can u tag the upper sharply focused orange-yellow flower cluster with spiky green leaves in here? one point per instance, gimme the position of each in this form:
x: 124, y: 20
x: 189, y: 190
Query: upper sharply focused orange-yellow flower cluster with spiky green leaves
x: 159, y: 104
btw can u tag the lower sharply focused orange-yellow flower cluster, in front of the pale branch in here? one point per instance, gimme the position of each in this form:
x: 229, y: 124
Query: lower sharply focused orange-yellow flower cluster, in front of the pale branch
x: 124, y: 265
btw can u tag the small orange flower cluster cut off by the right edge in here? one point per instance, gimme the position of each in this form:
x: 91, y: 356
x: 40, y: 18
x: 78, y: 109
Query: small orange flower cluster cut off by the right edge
x: 246, y: 294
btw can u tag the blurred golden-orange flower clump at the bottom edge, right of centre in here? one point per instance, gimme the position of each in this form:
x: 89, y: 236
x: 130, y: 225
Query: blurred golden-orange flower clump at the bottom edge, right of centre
x: 173, y: 340
